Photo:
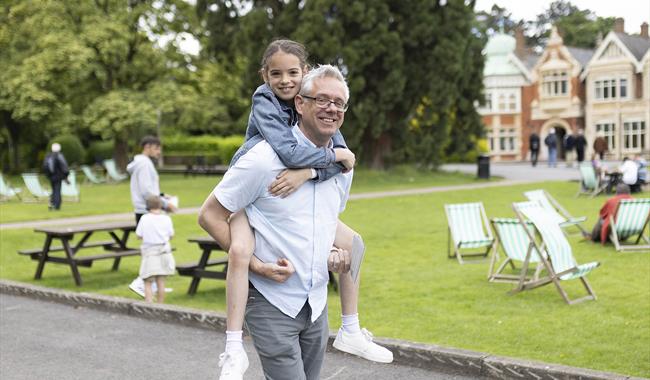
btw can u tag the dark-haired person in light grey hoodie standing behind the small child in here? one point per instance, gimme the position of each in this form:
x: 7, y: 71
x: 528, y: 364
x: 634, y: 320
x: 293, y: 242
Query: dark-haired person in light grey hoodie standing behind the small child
x: 145, y: 183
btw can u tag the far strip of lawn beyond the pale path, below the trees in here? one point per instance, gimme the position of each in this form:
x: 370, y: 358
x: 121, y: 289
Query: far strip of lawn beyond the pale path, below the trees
x: 192, y: 191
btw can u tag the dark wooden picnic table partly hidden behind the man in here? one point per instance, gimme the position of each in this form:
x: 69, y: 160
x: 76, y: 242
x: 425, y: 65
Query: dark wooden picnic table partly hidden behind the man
x: 199, y: 270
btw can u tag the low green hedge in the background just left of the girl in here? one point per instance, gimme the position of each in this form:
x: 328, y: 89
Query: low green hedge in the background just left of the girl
x: 215, y: 149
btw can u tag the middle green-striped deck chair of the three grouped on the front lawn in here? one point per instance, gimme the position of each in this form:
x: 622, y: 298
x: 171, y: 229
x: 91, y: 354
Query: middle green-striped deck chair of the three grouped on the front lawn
x: 514, y: 242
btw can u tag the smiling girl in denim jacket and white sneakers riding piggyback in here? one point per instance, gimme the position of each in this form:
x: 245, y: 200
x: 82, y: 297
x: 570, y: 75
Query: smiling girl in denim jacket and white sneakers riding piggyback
x: 273, y: 114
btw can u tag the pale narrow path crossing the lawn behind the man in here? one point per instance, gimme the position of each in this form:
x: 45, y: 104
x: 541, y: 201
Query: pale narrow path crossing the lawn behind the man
x: 513, y: 174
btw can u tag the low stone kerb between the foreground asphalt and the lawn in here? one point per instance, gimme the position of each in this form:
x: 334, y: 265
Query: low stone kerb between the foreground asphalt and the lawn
x: 419, y: 355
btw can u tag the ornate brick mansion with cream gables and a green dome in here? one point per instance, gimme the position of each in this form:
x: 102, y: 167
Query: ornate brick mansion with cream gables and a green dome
x: 604, y: 91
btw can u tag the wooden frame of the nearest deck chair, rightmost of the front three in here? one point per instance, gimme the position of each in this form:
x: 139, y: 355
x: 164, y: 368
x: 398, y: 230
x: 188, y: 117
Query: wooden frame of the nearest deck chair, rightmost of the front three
x: 551, y: 276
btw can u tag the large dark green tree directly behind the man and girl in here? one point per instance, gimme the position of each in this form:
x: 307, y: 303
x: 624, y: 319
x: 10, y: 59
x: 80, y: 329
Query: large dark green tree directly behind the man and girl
x: 398, y: 56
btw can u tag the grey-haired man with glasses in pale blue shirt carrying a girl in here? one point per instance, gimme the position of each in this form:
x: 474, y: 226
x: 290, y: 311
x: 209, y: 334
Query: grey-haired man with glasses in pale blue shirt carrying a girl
x: 288, y: 321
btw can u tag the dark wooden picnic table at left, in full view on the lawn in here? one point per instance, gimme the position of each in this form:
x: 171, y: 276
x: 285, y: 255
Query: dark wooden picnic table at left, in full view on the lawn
x: 115, y: 248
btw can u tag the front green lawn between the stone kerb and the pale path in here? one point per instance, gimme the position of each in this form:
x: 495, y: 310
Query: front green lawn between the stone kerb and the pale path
x: 410, y: 289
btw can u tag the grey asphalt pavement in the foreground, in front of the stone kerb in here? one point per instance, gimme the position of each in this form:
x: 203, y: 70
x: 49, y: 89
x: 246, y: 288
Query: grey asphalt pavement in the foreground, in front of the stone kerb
x: 43, y: 340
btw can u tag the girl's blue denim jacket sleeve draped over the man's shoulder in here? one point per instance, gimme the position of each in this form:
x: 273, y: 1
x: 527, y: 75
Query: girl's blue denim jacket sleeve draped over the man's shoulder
x: 267, y: 116
